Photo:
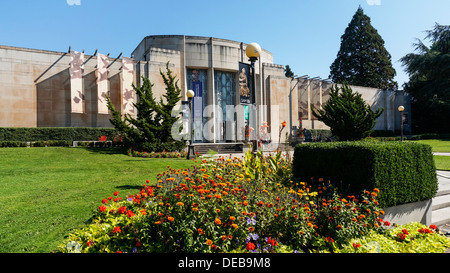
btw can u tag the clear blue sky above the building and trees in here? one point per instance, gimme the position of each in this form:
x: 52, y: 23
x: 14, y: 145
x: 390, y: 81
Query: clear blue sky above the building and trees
x: 304, y: 34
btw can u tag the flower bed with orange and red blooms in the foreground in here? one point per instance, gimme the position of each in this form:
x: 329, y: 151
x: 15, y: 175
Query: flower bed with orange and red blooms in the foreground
x: 233, y: 205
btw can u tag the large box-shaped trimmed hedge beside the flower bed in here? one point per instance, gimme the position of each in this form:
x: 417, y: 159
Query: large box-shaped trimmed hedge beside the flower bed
x: 404, y: 172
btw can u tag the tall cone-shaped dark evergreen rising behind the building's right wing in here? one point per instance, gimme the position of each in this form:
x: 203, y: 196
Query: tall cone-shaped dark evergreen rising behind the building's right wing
x: 362, y: 58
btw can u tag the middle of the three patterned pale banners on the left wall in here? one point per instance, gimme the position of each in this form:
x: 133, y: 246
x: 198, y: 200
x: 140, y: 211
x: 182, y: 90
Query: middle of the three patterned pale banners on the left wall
x: 102, y: 83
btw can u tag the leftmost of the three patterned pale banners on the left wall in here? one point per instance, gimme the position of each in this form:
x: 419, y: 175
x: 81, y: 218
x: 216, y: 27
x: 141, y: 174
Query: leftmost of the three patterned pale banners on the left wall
x: 76, y: 82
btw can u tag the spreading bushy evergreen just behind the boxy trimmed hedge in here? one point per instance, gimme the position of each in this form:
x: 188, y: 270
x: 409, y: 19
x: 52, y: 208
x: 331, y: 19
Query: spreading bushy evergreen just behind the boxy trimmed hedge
x: 347, y: 114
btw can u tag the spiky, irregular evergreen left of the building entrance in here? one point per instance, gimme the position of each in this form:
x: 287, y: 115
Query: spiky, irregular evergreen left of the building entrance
x: 151, y: 129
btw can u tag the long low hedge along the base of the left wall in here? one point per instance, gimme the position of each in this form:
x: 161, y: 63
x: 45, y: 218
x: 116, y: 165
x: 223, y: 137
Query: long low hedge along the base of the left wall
x: 55, y: 133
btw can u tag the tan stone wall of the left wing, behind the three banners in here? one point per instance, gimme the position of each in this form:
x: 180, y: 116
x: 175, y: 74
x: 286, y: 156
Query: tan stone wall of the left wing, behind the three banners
x: 35, y: 89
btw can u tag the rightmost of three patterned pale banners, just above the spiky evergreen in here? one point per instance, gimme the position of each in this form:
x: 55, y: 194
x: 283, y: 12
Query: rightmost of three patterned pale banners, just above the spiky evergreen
x: 127, y: 88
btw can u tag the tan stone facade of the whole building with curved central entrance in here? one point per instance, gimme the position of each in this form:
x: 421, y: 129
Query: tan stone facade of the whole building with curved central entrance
x: 36, y: 88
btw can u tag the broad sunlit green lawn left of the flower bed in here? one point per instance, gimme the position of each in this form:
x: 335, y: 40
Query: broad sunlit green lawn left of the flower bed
x: 47, y: 192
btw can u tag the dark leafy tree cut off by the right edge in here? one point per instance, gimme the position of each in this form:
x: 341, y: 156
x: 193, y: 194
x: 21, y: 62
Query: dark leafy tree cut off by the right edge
x: 429, y: 83
